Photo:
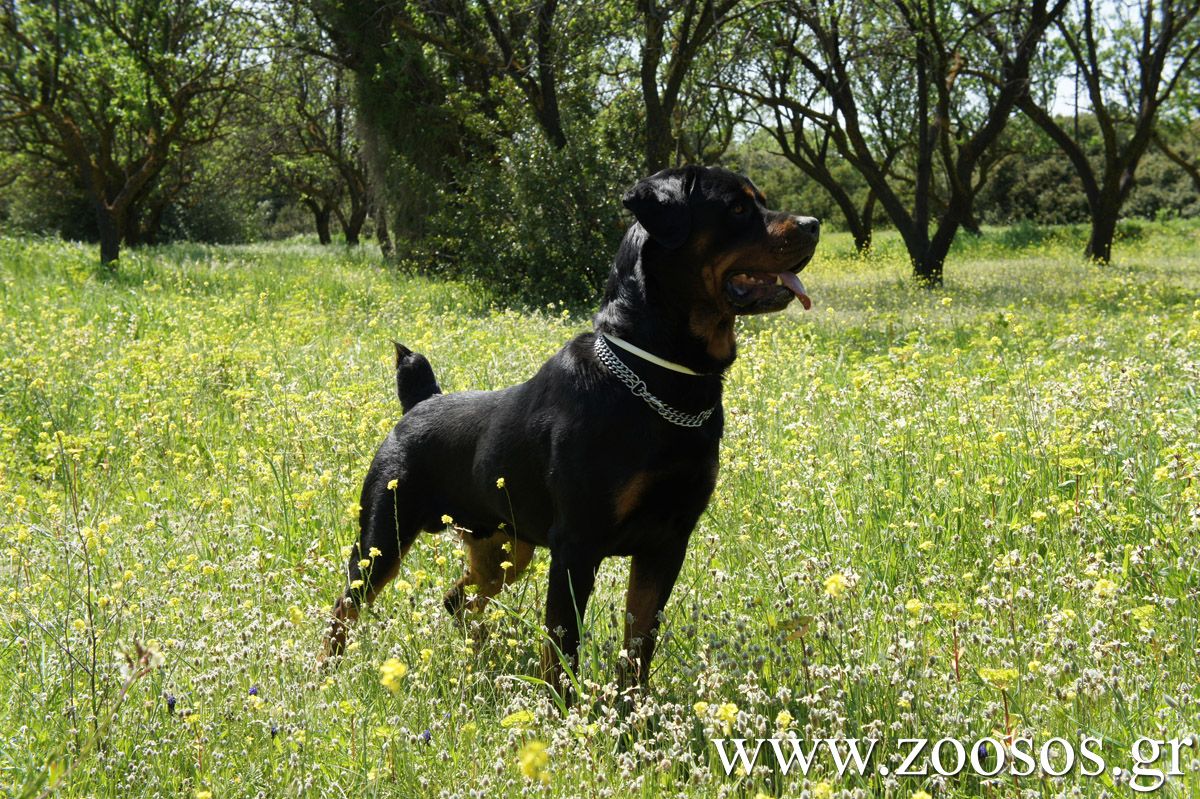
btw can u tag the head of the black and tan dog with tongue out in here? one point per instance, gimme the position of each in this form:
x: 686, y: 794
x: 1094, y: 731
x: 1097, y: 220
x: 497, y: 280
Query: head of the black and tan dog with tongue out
x: 715, y: 247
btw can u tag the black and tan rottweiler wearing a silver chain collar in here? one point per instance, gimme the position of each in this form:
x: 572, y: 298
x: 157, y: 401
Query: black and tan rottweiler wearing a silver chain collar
x: 611, y: 449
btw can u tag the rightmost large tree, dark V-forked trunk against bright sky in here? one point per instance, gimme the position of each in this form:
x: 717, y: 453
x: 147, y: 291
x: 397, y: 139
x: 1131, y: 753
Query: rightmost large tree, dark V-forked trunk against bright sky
x: 1130, y: 59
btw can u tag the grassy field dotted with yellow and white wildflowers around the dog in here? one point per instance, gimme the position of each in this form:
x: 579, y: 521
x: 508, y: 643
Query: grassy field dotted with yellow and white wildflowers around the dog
x: 959, y: 514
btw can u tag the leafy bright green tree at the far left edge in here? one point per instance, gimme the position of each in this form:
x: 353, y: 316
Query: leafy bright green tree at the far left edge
x: 116, y: 92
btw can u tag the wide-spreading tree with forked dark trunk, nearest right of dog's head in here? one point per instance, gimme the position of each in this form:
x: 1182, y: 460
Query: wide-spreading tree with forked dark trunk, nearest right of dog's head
x: 914, y: 97
